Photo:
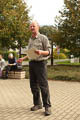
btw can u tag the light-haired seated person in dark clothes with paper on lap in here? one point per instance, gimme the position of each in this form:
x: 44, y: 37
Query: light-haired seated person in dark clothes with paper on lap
x: 12, y: 64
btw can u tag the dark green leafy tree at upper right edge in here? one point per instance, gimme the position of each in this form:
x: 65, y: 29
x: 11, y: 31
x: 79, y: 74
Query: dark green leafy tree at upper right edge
x: 68, y: 25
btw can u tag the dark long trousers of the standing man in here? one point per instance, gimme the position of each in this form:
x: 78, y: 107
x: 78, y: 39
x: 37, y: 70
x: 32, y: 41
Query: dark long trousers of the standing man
x: 38, y: 82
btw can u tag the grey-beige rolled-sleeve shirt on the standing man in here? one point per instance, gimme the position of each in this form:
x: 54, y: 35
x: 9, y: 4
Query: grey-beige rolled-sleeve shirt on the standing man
x: 41, y: 42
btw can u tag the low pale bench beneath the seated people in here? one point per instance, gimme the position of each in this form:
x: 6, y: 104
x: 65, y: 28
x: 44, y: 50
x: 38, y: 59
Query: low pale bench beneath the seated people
x: 15, y: 74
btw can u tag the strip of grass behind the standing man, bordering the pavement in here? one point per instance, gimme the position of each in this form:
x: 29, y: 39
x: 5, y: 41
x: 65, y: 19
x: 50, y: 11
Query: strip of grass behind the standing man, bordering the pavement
x: 61, y: 72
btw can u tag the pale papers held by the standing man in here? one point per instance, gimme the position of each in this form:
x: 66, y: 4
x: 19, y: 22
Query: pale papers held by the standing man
x: 31, y: 54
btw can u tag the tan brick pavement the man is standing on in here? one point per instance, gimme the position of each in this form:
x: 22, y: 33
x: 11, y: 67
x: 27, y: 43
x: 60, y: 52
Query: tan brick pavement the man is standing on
x: 16, y: 101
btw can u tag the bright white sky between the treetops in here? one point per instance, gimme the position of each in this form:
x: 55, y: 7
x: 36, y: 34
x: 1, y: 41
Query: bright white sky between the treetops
x: 44, y: 11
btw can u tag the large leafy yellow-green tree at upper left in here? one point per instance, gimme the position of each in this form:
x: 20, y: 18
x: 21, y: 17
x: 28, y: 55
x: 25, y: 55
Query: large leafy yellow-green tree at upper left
x: 14, y: 23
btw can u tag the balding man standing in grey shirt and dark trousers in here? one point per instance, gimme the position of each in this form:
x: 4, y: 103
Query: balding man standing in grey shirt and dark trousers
x: 38, y: 69
